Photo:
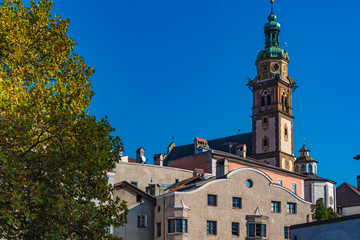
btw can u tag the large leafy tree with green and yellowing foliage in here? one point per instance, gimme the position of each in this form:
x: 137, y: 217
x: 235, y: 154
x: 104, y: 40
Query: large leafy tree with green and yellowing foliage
x: 54, y: 157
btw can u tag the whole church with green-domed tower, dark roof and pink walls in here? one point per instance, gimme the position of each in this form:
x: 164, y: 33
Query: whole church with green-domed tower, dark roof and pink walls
x: 270, y: 145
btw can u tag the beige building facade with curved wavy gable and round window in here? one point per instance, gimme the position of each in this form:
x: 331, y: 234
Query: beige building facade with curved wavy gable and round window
x: 244, y: 204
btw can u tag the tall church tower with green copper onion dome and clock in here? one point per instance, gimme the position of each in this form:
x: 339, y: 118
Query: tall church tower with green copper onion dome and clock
x: 272, y: 119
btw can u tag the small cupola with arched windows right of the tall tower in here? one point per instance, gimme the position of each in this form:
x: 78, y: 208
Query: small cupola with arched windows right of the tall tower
x: 304, y: 163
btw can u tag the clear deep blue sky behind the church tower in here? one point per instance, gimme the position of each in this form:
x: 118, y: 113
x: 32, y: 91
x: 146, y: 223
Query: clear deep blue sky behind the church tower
x: 178, y: 68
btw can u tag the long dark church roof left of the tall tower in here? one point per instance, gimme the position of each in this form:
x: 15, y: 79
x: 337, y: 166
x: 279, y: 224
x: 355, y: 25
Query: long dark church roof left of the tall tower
x: 221, y: 144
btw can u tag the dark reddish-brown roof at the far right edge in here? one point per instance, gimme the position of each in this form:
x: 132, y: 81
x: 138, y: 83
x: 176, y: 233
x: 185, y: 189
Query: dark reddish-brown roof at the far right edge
x: 347, y: 195
